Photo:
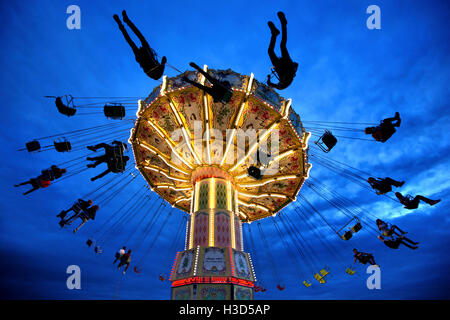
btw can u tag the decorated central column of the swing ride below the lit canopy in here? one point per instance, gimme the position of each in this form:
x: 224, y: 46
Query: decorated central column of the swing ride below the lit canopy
x: 214, y: 265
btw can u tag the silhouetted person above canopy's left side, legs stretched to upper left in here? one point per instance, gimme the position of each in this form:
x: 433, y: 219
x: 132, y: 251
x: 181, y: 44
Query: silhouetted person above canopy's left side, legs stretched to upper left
x: 145, y: 56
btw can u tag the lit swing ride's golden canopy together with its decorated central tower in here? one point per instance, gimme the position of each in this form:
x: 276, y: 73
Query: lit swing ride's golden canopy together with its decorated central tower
x: 187, y: 148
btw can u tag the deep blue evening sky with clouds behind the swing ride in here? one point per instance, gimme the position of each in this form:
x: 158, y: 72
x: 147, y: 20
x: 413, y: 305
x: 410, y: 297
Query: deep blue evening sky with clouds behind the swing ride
x: 346, y: 73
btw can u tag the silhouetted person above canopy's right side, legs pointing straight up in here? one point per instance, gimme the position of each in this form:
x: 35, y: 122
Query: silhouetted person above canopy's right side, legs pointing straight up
x: 284, y: 68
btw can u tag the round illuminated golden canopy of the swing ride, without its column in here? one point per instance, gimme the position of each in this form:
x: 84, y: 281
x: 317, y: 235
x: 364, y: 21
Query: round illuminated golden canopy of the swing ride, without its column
x: 182, y: 136
